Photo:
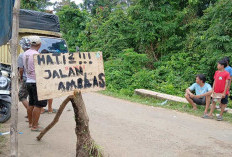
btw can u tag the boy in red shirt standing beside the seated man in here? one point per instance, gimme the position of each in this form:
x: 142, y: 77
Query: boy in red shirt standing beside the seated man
x: 220, y: 88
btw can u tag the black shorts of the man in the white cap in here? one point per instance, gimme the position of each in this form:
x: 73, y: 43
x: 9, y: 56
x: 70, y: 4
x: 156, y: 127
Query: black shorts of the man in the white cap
x: 33, y: 97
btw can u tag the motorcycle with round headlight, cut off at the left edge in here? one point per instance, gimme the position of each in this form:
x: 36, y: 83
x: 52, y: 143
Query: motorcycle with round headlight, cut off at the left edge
x: 5, y: 95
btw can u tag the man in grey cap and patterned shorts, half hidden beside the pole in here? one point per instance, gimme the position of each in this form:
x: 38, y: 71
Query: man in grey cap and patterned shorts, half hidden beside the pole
x: 23, y: 93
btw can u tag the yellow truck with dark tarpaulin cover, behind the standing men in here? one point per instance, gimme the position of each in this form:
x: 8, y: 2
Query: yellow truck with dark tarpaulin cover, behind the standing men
x: 42, y: 24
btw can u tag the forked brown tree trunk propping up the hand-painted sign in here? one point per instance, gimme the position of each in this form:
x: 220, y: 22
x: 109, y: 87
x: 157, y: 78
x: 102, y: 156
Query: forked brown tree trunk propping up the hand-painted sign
x: 85, y: 146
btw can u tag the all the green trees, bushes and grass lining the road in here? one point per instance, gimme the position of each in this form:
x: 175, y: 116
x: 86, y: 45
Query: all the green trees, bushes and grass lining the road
x: 157, y: 45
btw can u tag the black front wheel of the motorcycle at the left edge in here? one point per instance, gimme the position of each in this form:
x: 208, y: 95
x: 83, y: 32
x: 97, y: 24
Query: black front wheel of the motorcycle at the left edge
x: 5, y: 111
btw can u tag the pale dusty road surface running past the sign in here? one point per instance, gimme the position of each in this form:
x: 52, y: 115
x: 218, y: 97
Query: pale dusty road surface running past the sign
x: 126, y: 129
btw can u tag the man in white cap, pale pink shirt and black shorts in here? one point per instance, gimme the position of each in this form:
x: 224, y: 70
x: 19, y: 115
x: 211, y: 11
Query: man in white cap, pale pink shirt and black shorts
x: 35, y: 105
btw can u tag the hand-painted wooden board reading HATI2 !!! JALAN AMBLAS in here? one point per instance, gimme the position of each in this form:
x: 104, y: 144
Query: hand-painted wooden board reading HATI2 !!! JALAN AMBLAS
x: 59, y: 74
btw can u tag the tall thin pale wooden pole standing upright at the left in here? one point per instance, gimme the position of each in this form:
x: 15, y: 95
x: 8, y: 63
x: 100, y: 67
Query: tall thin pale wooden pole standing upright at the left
x: 14, y: 81
